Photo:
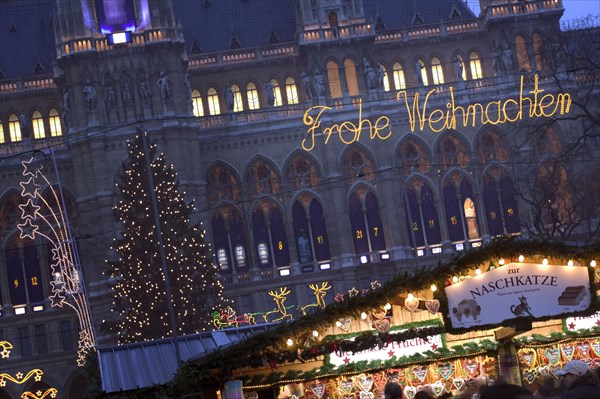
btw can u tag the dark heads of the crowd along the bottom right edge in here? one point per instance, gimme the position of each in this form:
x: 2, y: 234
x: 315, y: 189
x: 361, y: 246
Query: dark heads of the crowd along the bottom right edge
x: 575, y: 381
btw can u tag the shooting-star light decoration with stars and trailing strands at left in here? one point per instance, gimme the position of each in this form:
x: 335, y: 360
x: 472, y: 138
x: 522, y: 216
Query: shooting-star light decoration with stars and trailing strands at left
x: 67, y: 286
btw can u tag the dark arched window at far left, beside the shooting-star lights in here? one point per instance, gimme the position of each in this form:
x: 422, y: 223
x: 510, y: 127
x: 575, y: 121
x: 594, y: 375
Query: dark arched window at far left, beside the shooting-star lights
x: 23, y: 272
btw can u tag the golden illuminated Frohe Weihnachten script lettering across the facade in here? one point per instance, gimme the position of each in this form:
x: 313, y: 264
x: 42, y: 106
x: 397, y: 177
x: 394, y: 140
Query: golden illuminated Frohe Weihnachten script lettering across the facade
x: 496, y: 112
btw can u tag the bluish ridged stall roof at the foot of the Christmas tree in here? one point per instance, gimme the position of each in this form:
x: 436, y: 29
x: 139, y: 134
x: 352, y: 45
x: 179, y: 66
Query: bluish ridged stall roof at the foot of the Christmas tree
x: 145, y: 364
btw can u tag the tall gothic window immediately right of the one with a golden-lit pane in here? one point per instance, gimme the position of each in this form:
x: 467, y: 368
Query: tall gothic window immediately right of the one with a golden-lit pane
x: 500, y: 202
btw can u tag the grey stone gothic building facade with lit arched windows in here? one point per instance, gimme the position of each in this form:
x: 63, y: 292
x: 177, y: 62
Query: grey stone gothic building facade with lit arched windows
x: 356, y: 189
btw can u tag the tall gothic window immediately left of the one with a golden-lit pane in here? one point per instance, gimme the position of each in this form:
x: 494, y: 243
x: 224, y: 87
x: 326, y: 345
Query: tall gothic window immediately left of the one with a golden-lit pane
x: 422, y: 216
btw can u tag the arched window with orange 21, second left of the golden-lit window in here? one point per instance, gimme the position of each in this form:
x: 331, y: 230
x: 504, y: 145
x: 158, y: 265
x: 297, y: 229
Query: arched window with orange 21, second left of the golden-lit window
x: 367, y: 228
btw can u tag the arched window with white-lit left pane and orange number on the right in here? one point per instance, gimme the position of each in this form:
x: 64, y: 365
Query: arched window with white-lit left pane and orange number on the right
x: 270, y: 236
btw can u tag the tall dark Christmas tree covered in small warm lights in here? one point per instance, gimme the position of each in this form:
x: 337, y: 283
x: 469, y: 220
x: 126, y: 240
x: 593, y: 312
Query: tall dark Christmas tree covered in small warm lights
x: 138, y: 282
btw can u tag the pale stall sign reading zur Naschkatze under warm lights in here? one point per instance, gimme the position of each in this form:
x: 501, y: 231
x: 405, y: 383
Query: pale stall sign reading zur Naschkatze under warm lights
x: 518, y: 290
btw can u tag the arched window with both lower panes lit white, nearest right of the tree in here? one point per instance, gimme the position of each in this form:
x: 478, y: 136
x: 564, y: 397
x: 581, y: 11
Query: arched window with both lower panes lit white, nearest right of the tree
x: 229, y: 240
